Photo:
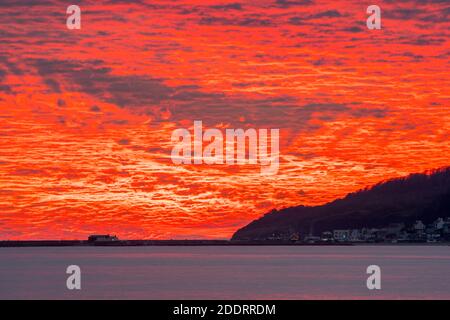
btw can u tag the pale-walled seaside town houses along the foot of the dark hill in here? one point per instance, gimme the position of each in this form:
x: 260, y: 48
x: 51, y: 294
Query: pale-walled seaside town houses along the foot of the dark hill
x: 436, y: 232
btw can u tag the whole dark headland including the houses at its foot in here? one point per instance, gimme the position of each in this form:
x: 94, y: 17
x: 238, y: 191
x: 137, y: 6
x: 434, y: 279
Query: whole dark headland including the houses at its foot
x: 412, y: 209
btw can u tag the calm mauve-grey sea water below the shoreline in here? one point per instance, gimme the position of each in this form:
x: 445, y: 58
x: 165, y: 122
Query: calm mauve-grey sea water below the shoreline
x: 226, y: 272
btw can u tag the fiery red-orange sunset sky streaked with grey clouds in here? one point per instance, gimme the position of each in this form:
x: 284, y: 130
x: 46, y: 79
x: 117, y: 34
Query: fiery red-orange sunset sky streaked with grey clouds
x: 86, y: 116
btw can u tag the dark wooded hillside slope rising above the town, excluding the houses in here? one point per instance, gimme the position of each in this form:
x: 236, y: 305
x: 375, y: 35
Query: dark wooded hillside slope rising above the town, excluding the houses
x: 417, y: 196
